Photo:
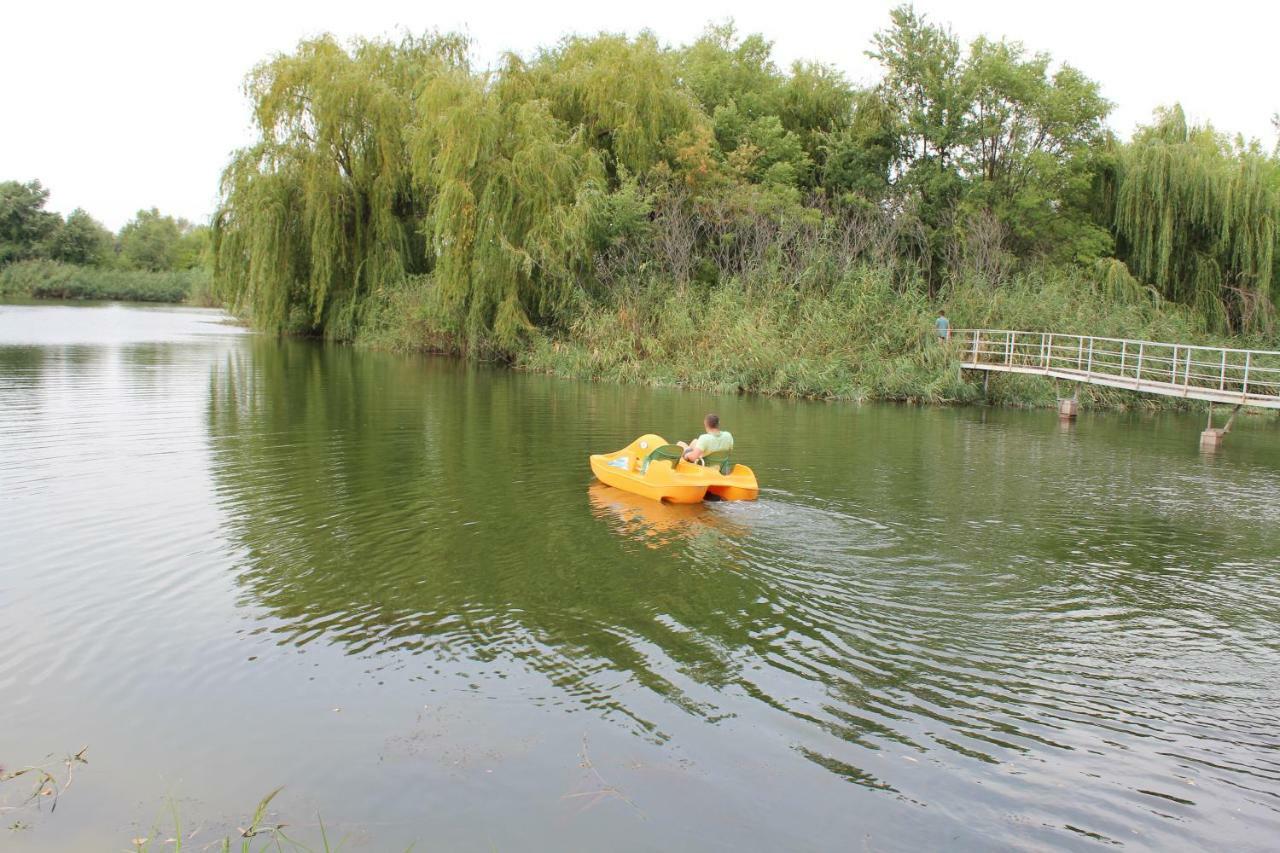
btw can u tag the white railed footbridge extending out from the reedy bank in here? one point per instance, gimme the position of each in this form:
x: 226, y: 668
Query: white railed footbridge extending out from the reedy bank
x: 1250, y: 376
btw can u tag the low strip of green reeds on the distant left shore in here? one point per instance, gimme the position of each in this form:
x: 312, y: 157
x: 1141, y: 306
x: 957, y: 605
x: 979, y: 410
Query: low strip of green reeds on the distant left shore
x: 53, y: 280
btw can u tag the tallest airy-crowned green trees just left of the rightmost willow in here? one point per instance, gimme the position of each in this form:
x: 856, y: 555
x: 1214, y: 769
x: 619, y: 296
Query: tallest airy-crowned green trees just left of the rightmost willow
x: 991, y: 131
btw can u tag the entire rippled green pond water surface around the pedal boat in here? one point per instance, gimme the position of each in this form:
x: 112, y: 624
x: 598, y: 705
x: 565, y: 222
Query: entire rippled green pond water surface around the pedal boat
x: 390, y: 585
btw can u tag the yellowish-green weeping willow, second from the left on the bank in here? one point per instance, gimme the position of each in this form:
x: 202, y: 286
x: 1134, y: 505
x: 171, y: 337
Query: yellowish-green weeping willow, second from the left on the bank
x: 513, y: 193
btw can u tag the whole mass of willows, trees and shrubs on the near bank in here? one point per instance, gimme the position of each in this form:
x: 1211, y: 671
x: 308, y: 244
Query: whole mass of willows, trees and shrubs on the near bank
x: 395, y: 194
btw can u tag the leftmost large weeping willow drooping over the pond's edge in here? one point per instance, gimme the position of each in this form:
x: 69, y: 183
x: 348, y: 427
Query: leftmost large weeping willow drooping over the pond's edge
x: 323, y: 208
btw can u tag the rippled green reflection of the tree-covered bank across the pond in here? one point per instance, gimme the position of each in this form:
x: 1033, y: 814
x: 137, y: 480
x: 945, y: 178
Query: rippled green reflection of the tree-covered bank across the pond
x: 1018, y: 608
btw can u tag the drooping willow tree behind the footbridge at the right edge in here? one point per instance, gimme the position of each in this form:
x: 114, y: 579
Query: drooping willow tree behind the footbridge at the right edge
x: 1197, y: 217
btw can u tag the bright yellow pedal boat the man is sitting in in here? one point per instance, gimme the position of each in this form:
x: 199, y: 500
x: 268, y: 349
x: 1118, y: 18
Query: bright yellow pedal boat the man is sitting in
x: 652, y: 468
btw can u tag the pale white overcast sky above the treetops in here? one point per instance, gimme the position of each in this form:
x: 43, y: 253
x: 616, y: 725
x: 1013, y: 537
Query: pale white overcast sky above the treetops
x: 118, y: 107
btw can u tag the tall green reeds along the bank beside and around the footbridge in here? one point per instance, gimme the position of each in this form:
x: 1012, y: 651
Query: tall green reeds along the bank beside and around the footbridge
x: 839, y: 332
